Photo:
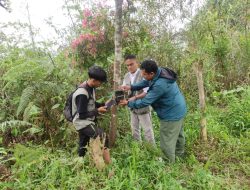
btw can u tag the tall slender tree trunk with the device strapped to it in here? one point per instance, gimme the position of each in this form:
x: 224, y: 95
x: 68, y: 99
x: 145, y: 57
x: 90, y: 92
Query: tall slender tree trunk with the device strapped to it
x: 117, y: 67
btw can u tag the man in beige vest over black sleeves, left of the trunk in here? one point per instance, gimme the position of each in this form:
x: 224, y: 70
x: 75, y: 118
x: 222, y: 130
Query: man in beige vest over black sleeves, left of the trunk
x: 87, y: 109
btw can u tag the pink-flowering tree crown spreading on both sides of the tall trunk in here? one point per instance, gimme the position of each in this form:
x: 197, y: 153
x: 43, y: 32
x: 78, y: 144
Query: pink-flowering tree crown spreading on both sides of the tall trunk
x: 95, y: 43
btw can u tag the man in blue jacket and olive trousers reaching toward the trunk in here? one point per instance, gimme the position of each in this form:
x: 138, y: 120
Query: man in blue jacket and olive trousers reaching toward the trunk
x: 167, y: 100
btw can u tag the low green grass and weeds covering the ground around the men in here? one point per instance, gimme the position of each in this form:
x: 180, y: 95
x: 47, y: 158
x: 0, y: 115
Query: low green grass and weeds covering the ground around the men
x: 222, y: 163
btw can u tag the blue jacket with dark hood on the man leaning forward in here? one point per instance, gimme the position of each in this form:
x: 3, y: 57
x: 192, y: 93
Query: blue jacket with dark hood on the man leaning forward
x: 163, y: 95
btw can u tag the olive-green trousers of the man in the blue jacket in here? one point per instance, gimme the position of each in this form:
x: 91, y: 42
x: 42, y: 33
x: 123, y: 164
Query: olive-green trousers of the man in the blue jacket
x: 172, y: 140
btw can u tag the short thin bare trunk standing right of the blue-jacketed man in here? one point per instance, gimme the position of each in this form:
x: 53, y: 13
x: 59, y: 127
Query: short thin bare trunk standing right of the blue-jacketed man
x: 200, y: 83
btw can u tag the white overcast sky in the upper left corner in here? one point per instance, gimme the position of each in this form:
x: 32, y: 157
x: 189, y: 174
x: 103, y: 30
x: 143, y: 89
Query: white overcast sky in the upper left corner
x: 39, y: 11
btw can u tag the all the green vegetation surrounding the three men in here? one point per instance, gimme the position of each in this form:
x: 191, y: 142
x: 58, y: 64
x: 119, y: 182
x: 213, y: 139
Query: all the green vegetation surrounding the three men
x: 38, y: 148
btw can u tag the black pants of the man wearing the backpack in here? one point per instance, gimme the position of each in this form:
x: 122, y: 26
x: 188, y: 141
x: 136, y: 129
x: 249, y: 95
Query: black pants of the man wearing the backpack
x: 85, y: 134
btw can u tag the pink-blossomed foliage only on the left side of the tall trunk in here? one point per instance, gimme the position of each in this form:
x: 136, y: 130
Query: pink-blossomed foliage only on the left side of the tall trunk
x: 95, y: 43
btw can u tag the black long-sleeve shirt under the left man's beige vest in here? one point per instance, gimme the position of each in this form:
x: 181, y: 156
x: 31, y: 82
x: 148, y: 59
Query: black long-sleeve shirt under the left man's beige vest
x: 82, y: 105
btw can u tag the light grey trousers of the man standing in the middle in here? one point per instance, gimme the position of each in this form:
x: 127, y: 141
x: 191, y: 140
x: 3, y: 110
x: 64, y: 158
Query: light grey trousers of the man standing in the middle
x: 144, y: 121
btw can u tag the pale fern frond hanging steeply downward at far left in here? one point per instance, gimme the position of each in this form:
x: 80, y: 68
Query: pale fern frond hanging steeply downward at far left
x: 26, y: 97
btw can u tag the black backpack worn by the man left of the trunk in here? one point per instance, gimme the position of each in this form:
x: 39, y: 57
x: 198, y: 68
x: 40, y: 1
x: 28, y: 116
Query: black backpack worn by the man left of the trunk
x: 67, y: 111
